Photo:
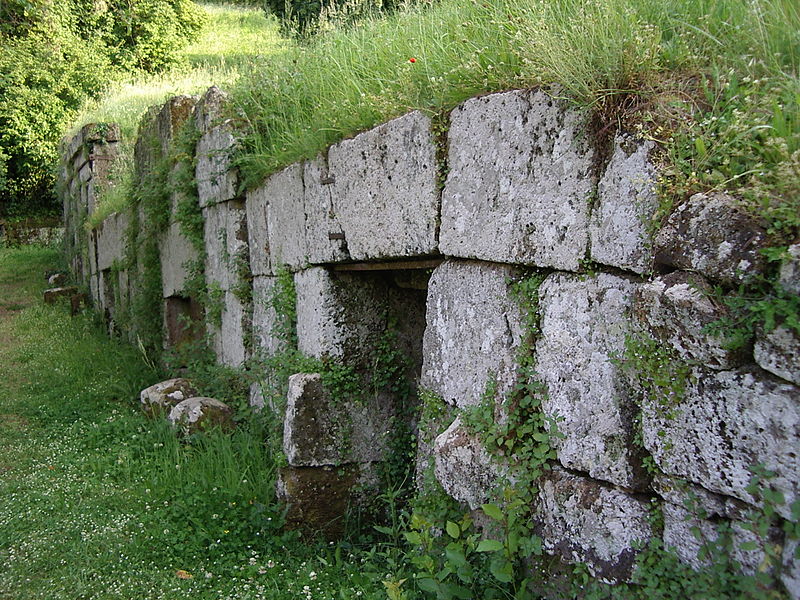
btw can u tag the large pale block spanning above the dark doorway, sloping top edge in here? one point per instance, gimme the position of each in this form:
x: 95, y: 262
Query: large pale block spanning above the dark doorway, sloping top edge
x: 384, y: 193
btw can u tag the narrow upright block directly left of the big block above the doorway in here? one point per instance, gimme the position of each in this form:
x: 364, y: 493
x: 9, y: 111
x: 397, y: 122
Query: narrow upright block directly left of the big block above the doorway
x: 325, y: 237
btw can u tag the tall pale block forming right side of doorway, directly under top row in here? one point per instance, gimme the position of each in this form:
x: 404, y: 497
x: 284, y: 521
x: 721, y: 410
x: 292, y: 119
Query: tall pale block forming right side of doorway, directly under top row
x: 474, y: 328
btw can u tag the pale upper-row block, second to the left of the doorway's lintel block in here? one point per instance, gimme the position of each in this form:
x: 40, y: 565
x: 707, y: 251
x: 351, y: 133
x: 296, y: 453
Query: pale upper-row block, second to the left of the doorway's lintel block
x: 286, y: 218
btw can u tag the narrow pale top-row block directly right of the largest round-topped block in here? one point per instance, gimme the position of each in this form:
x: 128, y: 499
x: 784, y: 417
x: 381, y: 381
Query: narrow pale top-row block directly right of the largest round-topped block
x: 626, y: 202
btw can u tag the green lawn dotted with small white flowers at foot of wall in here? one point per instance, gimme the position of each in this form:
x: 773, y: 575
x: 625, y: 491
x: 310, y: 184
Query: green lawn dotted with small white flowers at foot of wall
x: 96, y: 501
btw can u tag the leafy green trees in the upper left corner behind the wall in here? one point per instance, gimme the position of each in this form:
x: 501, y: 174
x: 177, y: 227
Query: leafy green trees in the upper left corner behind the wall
x: 53, y: 54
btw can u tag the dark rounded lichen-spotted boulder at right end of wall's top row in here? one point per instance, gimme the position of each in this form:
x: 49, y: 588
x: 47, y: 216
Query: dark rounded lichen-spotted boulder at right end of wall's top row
x: 709, y: 234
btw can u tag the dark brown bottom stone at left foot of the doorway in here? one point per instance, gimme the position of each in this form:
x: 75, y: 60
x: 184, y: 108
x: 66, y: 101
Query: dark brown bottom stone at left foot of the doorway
x: 317, y: 498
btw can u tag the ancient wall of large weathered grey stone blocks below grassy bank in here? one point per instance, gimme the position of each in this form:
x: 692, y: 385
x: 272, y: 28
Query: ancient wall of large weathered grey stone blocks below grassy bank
x: 371, y: 236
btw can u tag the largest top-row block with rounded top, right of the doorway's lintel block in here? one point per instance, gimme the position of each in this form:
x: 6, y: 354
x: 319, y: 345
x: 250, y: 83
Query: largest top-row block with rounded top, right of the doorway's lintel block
x: 520, y: 181
